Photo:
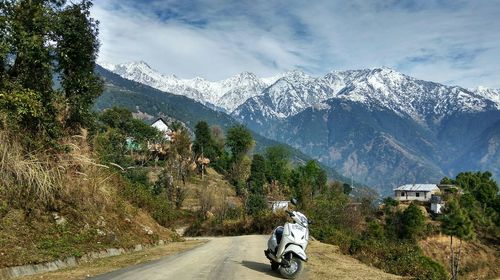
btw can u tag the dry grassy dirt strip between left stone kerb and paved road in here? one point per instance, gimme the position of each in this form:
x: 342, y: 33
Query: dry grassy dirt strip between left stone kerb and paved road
x: 101, y: 266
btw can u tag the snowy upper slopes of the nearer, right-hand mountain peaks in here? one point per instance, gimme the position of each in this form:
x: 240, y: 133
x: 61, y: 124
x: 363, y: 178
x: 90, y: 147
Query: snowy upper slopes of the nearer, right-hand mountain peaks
x: 375, y: 88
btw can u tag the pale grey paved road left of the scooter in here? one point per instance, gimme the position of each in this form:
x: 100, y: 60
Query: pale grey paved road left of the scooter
x: 239, y: 257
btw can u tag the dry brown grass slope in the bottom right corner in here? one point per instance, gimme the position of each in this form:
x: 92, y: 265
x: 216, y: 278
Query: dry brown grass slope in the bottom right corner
x: 478, y: 261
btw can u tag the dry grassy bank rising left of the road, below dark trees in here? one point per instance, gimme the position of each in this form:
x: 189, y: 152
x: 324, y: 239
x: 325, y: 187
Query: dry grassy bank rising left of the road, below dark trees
x: 54, y: 208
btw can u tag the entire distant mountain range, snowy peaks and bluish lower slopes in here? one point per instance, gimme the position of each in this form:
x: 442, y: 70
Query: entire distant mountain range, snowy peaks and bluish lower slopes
x: 380, y: 126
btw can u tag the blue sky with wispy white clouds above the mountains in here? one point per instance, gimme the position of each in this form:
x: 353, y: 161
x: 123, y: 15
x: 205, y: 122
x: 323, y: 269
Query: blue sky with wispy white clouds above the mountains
x: 452, y: 42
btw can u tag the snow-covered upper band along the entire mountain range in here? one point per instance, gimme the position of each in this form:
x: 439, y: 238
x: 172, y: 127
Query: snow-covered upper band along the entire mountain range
x: 289, y: 93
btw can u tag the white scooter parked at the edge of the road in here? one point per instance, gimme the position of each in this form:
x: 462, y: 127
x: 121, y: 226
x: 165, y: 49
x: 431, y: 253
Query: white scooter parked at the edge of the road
x: 286, y: 248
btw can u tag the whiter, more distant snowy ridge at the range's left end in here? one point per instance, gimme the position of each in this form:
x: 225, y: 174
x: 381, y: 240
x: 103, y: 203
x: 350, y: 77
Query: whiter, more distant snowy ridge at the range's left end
x: 227, y: 94
